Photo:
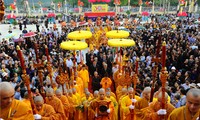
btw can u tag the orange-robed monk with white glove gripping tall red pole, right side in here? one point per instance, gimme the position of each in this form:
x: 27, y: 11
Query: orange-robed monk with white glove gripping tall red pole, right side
x: 155, y: 111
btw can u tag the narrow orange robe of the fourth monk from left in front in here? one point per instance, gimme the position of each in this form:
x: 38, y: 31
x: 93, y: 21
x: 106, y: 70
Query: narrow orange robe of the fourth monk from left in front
x: 66, y: 105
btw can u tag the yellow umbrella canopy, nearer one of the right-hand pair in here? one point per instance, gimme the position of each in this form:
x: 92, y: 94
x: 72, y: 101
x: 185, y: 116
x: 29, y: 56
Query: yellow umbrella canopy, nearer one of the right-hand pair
x: 121, y: 43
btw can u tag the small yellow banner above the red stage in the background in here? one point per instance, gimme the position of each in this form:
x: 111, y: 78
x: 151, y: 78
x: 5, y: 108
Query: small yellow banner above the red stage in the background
x: 100, y: 8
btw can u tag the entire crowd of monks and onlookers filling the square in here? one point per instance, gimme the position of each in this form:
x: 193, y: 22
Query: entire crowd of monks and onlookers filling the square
x: 101, y: 89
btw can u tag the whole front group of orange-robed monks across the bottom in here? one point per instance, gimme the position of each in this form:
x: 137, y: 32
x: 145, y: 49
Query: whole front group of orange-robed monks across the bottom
x: 102, y: 105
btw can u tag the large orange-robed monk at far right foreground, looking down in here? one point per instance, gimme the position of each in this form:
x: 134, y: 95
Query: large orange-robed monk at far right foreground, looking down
x: 191, y: 111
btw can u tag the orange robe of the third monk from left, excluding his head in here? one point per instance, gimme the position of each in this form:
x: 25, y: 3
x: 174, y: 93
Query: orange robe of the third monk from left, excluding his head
x: 58, y: 107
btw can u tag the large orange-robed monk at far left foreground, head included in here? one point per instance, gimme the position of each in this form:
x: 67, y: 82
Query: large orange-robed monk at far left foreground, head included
x: 11, y: 109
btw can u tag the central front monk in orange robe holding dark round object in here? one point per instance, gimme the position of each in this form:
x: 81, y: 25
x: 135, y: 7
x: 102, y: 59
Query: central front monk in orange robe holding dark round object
x: 102, y: 107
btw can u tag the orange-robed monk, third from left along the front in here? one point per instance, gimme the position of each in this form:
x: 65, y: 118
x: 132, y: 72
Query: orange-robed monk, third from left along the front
x: 55, y: 103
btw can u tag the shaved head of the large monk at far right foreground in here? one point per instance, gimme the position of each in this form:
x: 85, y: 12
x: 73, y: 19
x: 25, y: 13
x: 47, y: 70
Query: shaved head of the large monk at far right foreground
x: 193, y: 100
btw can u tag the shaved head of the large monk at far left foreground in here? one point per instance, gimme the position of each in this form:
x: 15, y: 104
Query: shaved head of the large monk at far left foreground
x: 6, y: 94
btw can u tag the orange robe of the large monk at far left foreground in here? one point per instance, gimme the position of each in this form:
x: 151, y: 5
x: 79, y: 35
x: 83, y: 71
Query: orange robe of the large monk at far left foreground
x: 18, y: 110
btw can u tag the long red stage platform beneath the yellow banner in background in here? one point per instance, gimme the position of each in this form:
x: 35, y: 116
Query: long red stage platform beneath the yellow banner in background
x: 99, y: 14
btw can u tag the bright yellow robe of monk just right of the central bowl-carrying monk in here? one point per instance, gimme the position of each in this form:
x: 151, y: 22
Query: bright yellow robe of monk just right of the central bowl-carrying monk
x: 125, y: 103
